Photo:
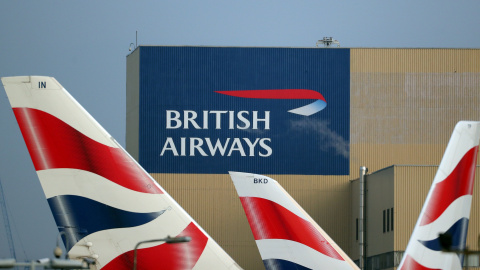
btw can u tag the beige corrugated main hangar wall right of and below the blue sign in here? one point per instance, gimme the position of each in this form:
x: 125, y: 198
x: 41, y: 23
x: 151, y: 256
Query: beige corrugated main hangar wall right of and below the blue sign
x: 404, y: 105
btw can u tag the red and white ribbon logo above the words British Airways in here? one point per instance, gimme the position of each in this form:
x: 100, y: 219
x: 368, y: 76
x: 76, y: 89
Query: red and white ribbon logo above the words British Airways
x: 306, y: 110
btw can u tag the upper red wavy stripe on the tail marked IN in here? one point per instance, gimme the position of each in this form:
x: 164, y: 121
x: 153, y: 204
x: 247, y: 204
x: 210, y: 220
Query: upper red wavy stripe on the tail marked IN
x: 54, y: 144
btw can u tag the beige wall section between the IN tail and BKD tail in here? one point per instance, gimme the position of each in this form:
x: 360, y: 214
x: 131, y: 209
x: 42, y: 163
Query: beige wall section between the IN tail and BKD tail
x: 212, y: 201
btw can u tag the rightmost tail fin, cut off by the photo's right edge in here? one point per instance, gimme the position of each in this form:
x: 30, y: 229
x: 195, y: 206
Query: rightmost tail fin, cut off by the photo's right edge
x: 447, y: 207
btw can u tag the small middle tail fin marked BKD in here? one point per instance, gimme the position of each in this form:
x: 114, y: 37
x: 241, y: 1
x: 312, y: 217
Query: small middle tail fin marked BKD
x: 286, y: 236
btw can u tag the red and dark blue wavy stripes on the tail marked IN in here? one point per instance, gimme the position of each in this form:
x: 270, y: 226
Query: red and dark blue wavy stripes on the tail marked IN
x: 55, y: 145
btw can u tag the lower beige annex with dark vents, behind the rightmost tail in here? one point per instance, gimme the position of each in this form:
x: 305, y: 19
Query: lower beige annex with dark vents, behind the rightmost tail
x: 393, y: 199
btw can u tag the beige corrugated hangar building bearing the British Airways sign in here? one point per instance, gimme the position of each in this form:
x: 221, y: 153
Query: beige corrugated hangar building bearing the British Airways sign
x: 391, y: 110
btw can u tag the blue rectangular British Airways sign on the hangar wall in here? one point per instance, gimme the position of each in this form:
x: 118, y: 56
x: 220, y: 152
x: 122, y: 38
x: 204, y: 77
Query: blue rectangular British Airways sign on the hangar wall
x: 264, y: 110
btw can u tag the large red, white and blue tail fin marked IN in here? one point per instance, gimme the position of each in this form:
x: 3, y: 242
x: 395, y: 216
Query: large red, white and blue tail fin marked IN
x: 102, y: 200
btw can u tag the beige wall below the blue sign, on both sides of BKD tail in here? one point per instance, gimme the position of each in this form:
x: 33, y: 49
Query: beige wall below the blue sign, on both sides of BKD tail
x: 213, y: 202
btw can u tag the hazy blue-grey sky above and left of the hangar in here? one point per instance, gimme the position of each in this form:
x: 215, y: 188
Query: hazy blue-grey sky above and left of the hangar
x: 83, y: 44
